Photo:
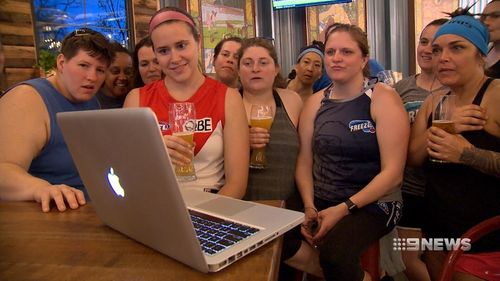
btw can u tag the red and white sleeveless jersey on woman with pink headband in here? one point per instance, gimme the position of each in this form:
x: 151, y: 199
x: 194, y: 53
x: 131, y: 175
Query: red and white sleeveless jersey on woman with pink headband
x: 209, y: 101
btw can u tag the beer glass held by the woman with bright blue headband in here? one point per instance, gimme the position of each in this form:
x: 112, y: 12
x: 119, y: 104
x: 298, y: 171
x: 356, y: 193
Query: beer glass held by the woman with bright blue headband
x: 443, y: 107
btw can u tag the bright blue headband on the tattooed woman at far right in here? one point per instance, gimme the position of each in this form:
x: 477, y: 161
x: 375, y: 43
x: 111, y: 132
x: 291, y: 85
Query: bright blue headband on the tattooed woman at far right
x: 469, y: 28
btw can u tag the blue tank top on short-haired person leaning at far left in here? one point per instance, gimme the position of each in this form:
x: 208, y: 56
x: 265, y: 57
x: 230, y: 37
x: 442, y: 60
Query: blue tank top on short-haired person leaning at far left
x: 54, y: 163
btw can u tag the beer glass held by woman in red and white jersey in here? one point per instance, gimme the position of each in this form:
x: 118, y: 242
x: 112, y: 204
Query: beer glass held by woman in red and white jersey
x: 182, y: 119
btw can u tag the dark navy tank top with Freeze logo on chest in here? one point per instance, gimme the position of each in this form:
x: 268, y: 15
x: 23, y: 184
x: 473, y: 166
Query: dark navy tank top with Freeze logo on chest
x: 345, y: 147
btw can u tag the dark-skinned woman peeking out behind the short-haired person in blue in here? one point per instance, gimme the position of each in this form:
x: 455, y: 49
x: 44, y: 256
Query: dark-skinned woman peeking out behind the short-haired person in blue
x: 119, y: 78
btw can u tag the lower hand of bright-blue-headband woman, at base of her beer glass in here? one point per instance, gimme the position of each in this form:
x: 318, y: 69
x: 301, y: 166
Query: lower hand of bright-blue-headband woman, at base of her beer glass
x: 445, y: 146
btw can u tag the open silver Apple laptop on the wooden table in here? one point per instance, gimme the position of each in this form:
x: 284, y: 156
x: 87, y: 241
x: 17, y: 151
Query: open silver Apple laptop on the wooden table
x: 124, y: 165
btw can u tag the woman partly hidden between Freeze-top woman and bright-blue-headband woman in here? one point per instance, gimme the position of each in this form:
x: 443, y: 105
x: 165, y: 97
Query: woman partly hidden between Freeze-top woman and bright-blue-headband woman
x: 413, y: 91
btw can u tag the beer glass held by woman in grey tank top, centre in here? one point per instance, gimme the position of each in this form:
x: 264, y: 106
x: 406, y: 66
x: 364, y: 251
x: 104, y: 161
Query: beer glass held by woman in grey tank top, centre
x: 261, y: 116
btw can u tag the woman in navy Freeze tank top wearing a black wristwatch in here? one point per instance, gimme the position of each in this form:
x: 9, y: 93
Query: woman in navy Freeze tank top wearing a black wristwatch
x: 353, y: 144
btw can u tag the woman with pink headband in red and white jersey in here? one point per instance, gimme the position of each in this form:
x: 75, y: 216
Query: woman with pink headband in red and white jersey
x: 221, y: 151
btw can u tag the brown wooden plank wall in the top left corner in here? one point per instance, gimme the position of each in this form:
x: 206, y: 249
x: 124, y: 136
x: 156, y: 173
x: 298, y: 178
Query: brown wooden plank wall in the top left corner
x: 16, y: 33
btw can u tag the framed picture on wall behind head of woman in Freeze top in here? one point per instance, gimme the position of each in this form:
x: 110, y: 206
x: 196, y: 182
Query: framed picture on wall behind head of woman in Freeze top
x: 318, y: 18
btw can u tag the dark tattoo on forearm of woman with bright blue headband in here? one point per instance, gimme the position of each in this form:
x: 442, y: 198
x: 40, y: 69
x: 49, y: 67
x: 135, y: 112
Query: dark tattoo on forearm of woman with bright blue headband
x: 485, y: 161
